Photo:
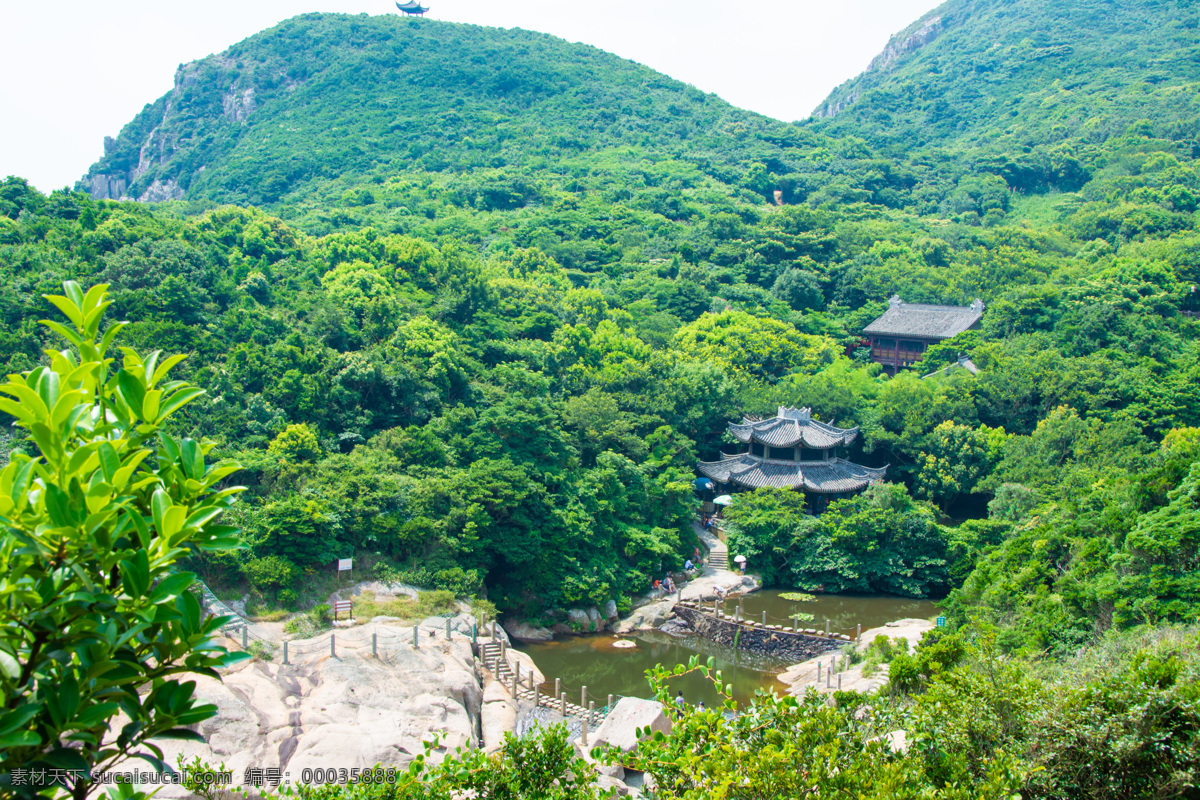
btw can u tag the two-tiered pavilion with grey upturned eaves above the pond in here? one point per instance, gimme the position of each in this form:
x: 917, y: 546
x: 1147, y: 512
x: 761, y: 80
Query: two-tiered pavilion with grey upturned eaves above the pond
x: 793, y: 452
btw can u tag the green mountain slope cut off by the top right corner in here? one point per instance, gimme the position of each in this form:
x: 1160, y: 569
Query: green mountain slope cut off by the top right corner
x: 1009, y: 76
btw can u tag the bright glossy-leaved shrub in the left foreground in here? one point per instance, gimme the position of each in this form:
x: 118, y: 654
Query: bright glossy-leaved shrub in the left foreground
x: 98, y: 623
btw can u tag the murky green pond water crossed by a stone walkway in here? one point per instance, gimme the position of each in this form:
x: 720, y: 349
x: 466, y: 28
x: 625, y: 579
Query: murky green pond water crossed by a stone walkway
x: 595, y: 663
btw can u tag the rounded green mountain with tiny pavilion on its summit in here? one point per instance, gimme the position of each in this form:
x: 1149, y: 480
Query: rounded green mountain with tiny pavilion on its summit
x: 323, y: 95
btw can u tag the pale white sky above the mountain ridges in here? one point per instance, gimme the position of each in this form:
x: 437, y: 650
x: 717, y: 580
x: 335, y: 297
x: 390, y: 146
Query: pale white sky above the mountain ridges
x: 76, y: 73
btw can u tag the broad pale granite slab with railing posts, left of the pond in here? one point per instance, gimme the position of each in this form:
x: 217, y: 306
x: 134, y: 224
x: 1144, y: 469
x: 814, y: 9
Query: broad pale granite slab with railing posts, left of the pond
x: 349, y: 712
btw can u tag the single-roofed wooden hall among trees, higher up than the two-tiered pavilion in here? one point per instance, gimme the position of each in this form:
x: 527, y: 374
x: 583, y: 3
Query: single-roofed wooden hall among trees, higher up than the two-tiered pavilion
x: 901, y: 338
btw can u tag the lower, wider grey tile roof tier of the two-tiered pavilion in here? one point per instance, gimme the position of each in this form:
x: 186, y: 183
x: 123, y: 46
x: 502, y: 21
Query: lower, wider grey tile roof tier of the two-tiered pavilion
x: 824, y: 478
